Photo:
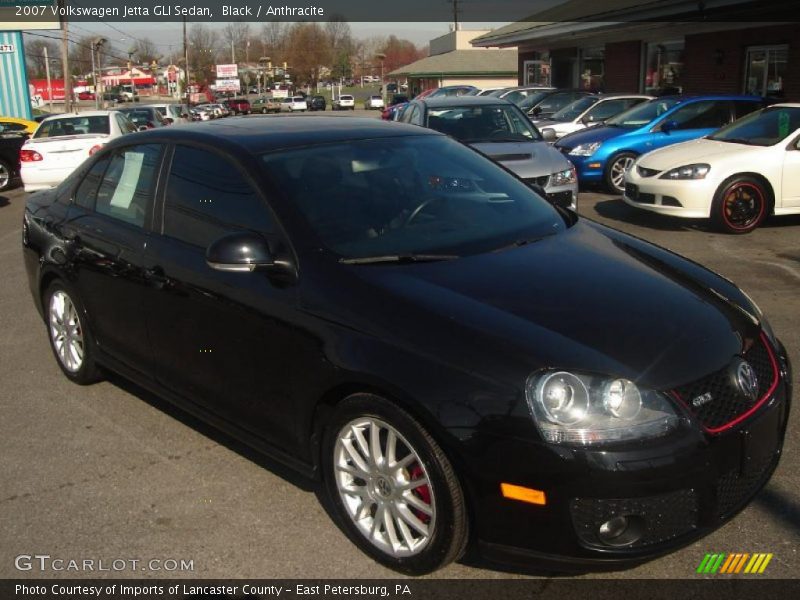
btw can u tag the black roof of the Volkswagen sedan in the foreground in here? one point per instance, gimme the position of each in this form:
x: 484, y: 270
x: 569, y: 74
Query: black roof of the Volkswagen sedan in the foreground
x: 256, y: 134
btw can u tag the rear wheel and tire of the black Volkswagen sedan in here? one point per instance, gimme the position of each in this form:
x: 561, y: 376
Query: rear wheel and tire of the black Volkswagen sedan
x: 70, y: 331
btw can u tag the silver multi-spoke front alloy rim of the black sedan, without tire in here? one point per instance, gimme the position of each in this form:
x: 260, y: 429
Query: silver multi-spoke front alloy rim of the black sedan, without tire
x: 384, y: 487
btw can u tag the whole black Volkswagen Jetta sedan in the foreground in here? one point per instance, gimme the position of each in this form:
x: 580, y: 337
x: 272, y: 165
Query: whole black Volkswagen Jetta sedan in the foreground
x: 383, y: 308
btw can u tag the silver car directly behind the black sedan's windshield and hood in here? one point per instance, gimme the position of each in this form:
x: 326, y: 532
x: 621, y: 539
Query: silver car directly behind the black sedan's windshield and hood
x: 501, y: 131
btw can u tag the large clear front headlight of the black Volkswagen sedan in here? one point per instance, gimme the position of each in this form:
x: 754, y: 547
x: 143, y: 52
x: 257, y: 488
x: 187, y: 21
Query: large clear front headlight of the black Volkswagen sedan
x: 583, y: 409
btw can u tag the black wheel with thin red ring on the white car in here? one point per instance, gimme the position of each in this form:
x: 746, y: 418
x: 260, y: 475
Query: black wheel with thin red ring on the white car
x: 740, y: 205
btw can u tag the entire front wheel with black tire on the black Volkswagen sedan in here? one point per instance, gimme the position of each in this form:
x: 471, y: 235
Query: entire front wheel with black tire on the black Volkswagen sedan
x: 427, y: 525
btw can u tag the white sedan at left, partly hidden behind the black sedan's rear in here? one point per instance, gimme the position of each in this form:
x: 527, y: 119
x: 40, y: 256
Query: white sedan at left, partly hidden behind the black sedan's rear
x: 61, y: 143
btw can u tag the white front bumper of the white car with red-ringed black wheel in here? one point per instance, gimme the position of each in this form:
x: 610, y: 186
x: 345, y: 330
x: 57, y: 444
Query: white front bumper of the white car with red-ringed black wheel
x: 689, y: 199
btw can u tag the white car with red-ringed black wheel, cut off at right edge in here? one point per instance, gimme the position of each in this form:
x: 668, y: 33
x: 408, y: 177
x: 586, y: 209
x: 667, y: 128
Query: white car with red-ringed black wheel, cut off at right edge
x: 737, y: 176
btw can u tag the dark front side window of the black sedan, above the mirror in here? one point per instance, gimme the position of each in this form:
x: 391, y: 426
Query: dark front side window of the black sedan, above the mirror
x: 207, y: 197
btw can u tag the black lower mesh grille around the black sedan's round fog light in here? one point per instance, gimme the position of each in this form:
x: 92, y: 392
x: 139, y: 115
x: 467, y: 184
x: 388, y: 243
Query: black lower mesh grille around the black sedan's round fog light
x: 664, y: 517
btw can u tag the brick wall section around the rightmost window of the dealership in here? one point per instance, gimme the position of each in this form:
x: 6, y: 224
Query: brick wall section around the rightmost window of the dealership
x: 715, y: 62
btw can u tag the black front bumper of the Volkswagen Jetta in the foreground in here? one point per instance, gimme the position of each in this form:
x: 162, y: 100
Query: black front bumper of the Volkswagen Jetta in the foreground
x: 675, y: 490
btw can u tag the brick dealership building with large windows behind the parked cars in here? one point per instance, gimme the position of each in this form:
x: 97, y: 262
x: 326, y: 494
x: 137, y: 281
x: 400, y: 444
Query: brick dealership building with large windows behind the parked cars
x: 659, y: 46
